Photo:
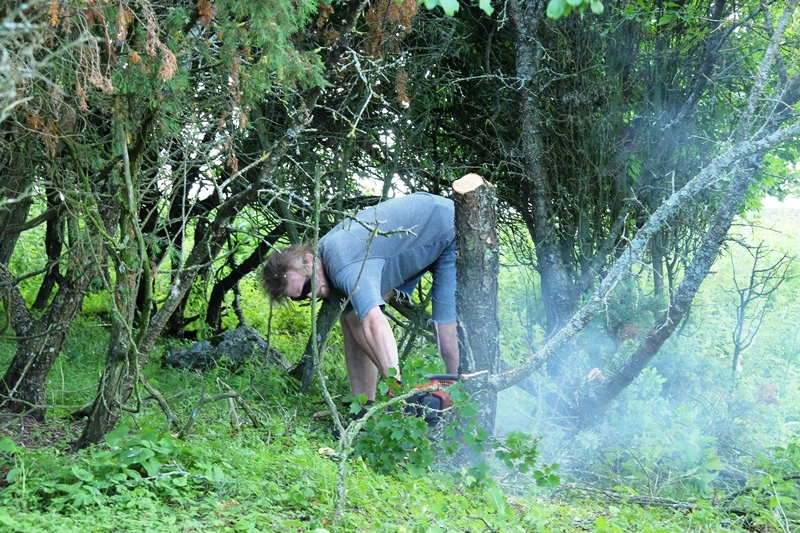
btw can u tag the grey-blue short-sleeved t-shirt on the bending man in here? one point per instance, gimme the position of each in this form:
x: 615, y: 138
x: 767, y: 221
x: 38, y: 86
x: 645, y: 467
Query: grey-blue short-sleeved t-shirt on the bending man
x: 386, y: 246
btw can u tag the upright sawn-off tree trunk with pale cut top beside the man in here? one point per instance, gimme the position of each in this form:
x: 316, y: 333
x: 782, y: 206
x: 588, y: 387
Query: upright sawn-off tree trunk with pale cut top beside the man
x: 478, y: 266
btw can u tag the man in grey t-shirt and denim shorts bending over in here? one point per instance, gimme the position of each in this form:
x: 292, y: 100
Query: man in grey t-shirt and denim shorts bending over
x: 365, y: 261
